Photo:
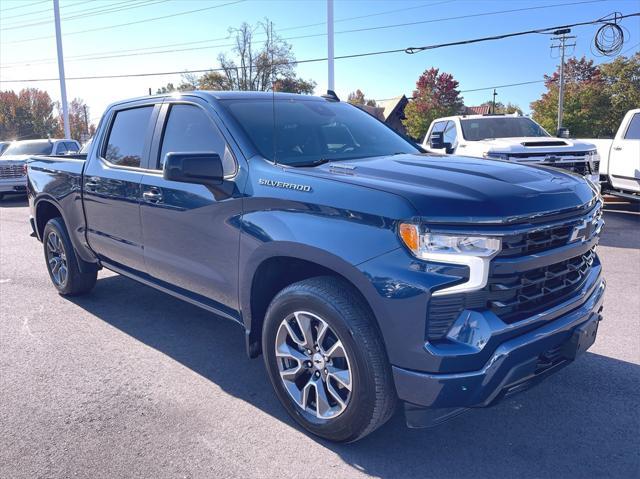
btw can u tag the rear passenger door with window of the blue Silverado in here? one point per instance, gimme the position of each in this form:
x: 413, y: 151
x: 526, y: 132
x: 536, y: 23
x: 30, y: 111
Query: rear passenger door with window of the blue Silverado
x: 112, y: 186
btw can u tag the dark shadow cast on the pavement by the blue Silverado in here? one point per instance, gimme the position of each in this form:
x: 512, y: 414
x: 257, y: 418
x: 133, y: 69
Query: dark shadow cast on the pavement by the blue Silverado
x: 582, y: 422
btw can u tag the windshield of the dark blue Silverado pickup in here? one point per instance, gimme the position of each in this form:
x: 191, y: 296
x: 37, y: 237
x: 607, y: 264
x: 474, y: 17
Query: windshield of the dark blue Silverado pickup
x: 310, y: 132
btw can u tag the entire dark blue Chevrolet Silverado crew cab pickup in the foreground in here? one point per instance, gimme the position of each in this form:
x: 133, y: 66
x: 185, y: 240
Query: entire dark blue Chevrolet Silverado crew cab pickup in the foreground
x: 363, y: 270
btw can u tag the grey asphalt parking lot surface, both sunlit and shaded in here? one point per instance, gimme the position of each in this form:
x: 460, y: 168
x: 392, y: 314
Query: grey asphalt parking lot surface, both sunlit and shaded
x: 129, y: 382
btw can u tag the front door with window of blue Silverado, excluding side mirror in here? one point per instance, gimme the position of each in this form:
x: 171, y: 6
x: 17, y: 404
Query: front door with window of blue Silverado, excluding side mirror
x: 191, y: 235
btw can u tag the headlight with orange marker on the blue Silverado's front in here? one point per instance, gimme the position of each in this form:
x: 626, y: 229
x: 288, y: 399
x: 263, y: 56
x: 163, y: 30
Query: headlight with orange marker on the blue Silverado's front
x: 475, y: 252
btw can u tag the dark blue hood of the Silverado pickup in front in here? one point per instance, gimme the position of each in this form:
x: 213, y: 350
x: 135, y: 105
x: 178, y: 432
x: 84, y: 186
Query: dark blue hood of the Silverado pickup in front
x: 460, y: 189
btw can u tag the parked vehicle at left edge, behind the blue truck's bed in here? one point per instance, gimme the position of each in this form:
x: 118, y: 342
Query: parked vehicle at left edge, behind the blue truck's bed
x: 13, y: 178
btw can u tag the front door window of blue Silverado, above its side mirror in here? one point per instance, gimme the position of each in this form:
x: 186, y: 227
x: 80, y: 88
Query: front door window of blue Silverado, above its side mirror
x: 189, y: 129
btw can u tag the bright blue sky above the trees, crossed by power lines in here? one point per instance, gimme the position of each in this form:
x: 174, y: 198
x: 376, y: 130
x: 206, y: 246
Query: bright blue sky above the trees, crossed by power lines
x: 515, y: 60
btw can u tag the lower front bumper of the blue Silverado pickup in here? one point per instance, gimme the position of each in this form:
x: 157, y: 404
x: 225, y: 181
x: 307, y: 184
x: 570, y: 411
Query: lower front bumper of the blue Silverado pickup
x: 514, y: 364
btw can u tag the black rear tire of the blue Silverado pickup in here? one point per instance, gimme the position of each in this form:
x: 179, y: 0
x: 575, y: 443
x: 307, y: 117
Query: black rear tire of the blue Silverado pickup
x: 74, y: 281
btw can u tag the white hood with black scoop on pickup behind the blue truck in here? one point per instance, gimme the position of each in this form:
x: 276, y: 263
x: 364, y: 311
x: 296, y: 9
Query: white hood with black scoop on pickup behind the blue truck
x: 534, y: 144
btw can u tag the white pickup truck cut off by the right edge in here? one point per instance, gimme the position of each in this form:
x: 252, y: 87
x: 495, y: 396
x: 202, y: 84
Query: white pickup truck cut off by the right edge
x: 620, y: 164
